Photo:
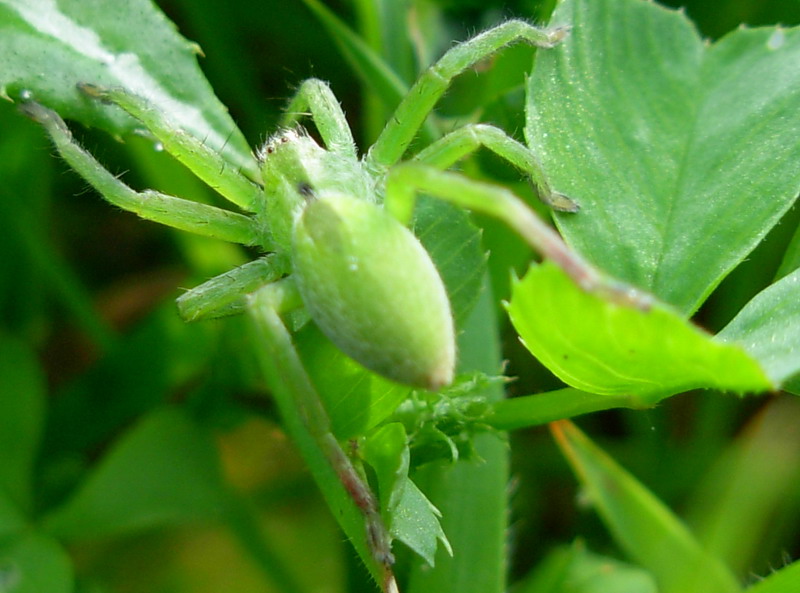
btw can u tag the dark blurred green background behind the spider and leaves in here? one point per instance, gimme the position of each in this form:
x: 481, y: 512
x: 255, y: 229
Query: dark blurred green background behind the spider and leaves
x: 90, y: 290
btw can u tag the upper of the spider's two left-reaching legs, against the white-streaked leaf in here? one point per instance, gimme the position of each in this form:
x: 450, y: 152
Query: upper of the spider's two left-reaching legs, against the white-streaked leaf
x: 238, y: 186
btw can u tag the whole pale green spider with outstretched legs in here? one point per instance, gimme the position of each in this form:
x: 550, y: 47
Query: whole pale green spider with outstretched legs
x: 333, y: 228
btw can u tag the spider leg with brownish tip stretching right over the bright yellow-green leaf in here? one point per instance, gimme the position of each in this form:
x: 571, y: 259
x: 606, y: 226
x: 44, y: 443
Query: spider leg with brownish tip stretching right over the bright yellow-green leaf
x: 406, y: 180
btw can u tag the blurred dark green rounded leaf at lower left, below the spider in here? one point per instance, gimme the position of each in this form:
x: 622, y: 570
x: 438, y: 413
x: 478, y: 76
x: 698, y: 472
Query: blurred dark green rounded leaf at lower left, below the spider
x: 163, y: 471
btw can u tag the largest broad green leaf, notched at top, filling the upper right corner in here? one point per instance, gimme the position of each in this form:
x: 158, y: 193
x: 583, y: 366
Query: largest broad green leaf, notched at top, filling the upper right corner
x: 681, y: 154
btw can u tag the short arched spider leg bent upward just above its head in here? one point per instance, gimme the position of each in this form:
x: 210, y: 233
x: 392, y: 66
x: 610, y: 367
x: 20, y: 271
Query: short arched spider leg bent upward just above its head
x: 315, y: 98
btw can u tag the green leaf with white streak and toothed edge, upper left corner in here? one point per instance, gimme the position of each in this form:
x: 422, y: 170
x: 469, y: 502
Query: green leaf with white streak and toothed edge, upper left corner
x: 47, y: 47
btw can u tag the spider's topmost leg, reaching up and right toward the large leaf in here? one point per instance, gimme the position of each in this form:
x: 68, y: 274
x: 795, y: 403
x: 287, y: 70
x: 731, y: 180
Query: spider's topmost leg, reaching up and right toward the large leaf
x: 431, y: 85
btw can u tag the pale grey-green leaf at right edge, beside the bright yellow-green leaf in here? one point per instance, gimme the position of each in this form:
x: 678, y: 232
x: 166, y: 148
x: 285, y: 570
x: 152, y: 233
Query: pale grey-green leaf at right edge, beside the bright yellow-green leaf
x: 769, y: 328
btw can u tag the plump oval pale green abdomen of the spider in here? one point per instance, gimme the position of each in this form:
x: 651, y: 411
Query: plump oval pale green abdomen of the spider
x: 373, y: 290
